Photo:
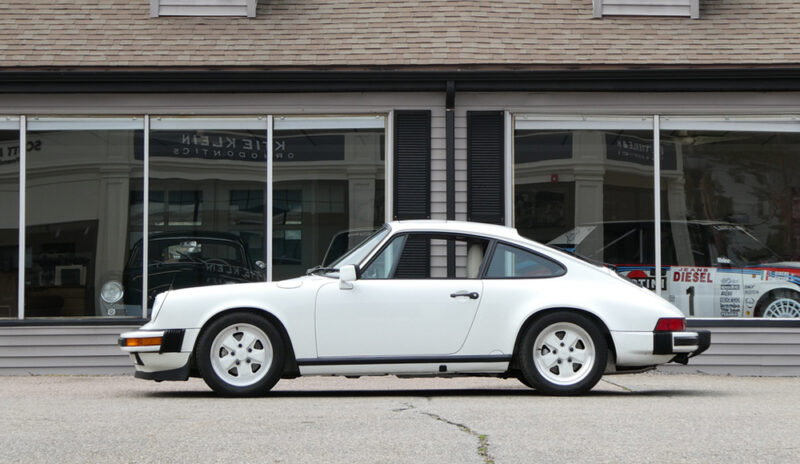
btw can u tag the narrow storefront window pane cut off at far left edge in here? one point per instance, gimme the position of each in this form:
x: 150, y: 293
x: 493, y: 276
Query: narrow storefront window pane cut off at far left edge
x: 9, y: 221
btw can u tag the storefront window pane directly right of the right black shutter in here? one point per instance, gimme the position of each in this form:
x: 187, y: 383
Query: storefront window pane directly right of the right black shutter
x: 587, y: 191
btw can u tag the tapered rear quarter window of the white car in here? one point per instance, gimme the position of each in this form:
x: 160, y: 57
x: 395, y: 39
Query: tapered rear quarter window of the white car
x: 513, y: 263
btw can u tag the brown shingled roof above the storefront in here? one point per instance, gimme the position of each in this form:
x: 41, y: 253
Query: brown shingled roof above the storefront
x: 347, y: 34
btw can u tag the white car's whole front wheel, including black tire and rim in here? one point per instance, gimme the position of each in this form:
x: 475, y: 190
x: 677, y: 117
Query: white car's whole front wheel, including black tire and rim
x: 254, y: 369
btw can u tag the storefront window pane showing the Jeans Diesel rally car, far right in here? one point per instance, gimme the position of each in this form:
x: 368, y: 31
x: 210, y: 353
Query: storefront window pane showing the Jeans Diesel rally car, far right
x: 731, y: 223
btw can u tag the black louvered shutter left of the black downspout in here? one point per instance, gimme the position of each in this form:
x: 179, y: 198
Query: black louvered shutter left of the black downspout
x: 412, y: 165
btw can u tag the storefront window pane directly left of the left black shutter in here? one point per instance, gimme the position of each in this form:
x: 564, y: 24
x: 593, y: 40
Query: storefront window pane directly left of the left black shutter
x: 328, y: 187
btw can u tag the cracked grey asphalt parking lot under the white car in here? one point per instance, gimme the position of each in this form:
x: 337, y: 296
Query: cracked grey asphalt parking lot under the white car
x: 630, y: 418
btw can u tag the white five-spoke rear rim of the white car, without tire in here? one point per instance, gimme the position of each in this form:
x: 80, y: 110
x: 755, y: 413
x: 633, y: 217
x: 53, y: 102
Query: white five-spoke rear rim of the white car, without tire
x: 564, y: 353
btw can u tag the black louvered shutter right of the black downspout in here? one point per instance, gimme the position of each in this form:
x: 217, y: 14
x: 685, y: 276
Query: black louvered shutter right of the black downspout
x: 485, y: 162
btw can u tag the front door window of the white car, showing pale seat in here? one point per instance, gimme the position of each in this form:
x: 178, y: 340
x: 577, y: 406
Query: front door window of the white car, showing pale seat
x: 428, y: 256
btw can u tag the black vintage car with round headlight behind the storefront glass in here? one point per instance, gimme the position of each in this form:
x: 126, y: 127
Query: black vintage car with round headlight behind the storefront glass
x: 179, y: 260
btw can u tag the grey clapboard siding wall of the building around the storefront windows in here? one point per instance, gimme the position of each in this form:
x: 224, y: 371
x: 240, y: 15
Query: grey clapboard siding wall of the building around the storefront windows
x: 92, y: 349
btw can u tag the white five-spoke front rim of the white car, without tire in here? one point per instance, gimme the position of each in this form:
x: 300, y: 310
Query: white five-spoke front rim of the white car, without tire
x: 241, y: 355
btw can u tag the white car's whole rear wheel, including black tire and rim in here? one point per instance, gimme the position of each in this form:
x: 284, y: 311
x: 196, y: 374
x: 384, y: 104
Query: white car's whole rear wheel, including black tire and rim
x: 563, y: 353
